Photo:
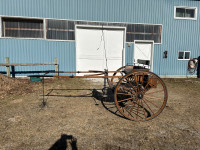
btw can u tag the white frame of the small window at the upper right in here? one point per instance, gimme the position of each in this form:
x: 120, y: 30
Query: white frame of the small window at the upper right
x: 186, y: 18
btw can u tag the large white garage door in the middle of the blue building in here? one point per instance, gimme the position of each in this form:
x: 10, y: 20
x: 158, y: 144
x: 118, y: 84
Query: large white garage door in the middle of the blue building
x: 98, y: 49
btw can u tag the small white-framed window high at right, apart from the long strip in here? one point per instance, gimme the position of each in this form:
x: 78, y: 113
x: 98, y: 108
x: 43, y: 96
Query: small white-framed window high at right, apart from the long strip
x: 185, y: 12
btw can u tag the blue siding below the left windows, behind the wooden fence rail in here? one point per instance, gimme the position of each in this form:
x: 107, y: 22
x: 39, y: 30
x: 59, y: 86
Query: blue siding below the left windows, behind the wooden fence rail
x: 38, y: 51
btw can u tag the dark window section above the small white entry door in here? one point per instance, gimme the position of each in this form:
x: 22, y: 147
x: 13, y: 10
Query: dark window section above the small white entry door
x: 144, y: 32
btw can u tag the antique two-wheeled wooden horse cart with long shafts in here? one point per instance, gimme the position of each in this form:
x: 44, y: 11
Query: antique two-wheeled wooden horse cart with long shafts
x: 138, y: 93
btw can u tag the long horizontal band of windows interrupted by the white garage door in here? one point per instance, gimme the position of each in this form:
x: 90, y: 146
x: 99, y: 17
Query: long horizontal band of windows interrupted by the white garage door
x: 53, y: 29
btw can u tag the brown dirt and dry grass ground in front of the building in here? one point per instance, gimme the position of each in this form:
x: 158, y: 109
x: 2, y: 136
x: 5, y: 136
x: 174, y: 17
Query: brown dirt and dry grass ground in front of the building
x: 74, y: 118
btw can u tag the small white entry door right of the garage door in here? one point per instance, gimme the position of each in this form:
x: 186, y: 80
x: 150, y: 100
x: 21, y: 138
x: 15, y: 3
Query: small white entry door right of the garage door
x: 143, y: 54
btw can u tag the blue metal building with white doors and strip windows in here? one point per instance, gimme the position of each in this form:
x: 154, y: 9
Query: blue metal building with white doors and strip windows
x: 33, y: 31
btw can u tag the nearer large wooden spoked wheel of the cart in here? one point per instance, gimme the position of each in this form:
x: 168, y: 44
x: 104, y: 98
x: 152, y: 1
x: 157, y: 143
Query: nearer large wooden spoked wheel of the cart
x: 140, y: 95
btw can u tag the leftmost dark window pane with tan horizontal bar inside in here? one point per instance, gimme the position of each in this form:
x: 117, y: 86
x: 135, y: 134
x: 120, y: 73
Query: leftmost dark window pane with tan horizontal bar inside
x: 22, y: 28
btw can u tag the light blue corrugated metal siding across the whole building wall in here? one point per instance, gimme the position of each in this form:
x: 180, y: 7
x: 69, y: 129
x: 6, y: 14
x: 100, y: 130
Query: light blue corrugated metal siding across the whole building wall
x: 177, y: 34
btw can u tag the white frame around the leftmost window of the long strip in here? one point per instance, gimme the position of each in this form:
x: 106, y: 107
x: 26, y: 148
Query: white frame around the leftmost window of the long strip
x: 22, y: 18
